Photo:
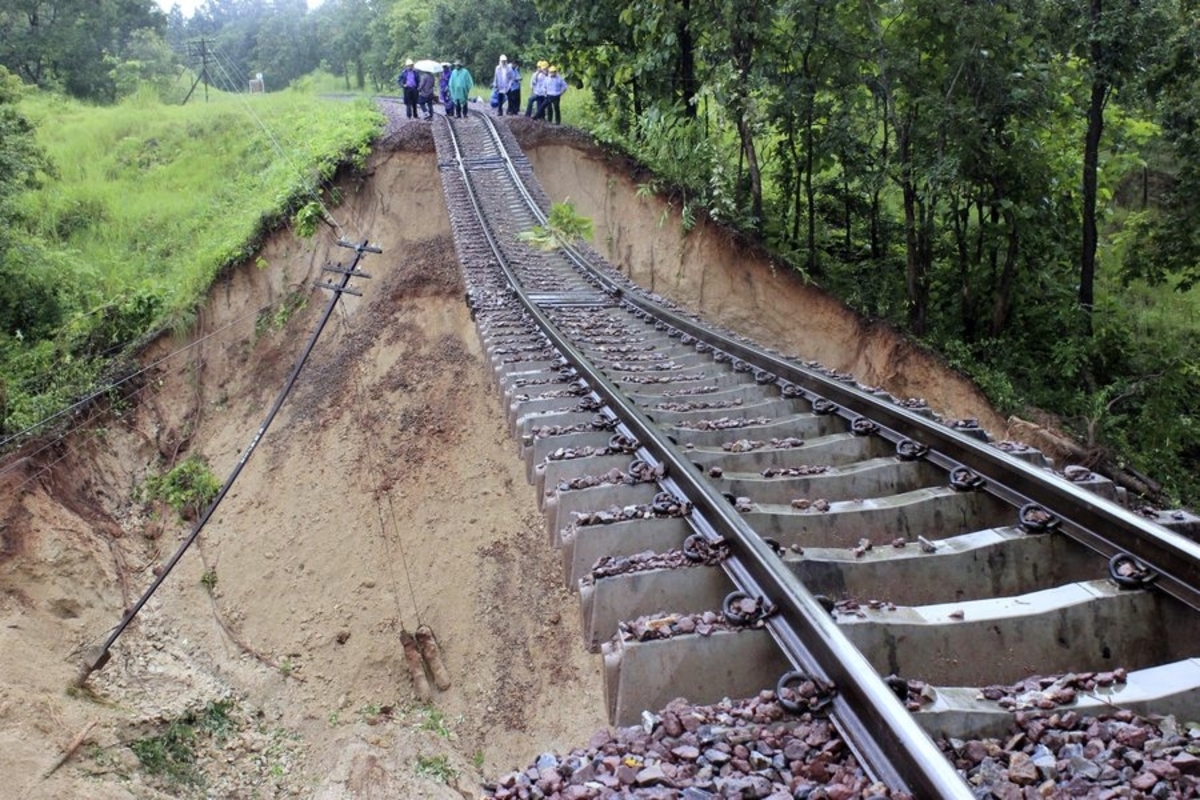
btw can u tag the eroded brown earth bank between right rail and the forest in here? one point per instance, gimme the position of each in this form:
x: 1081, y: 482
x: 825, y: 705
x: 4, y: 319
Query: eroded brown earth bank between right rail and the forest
x: 713, y: 274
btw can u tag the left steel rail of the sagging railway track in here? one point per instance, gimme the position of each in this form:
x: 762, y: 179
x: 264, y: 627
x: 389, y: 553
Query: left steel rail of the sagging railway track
x: 884, y: 736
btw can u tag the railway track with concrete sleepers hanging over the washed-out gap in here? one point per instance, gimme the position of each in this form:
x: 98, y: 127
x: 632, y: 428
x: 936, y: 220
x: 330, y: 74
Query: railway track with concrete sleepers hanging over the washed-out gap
x: 740, y: 521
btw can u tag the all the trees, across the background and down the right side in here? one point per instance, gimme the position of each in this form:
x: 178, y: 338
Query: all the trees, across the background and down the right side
x: 1015, y: 183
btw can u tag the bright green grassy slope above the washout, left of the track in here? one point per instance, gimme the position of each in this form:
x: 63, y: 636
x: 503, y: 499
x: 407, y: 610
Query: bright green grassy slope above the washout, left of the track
x: 148, y: 206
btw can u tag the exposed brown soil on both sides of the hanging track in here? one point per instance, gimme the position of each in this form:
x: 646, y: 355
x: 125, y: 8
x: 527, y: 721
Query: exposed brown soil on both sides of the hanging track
x: 387, y: 495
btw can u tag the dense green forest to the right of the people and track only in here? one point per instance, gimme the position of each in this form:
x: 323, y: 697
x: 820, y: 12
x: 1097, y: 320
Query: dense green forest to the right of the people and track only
x: 926, y: 167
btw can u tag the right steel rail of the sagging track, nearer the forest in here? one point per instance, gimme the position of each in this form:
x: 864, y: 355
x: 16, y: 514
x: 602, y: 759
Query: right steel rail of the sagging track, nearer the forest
x: 1096, y: 522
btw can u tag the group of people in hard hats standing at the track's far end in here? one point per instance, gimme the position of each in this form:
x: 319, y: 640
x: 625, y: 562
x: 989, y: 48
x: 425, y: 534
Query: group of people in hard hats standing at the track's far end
x: 455, y: 83
